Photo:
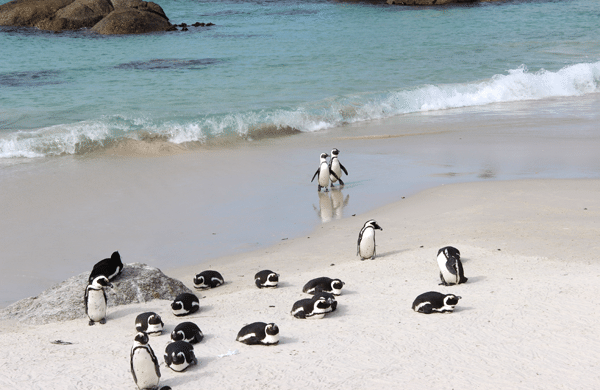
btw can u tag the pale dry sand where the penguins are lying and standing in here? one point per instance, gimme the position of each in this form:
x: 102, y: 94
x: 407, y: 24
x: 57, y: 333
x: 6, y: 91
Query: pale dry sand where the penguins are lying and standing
x: 528, y: 318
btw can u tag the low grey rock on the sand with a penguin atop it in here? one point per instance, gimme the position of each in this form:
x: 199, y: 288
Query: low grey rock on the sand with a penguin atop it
x: 64, y: 301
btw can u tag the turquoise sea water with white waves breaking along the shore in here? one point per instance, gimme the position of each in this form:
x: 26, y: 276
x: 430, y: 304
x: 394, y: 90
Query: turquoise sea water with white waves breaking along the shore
x: 308, y: 65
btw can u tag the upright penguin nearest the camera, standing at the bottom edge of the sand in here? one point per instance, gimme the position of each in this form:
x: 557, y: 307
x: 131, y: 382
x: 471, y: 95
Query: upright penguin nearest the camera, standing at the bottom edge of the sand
x: 144, y: 364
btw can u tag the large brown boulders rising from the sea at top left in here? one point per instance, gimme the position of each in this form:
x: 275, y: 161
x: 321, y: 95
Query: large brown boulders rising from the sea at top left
x: 117, y: 17
